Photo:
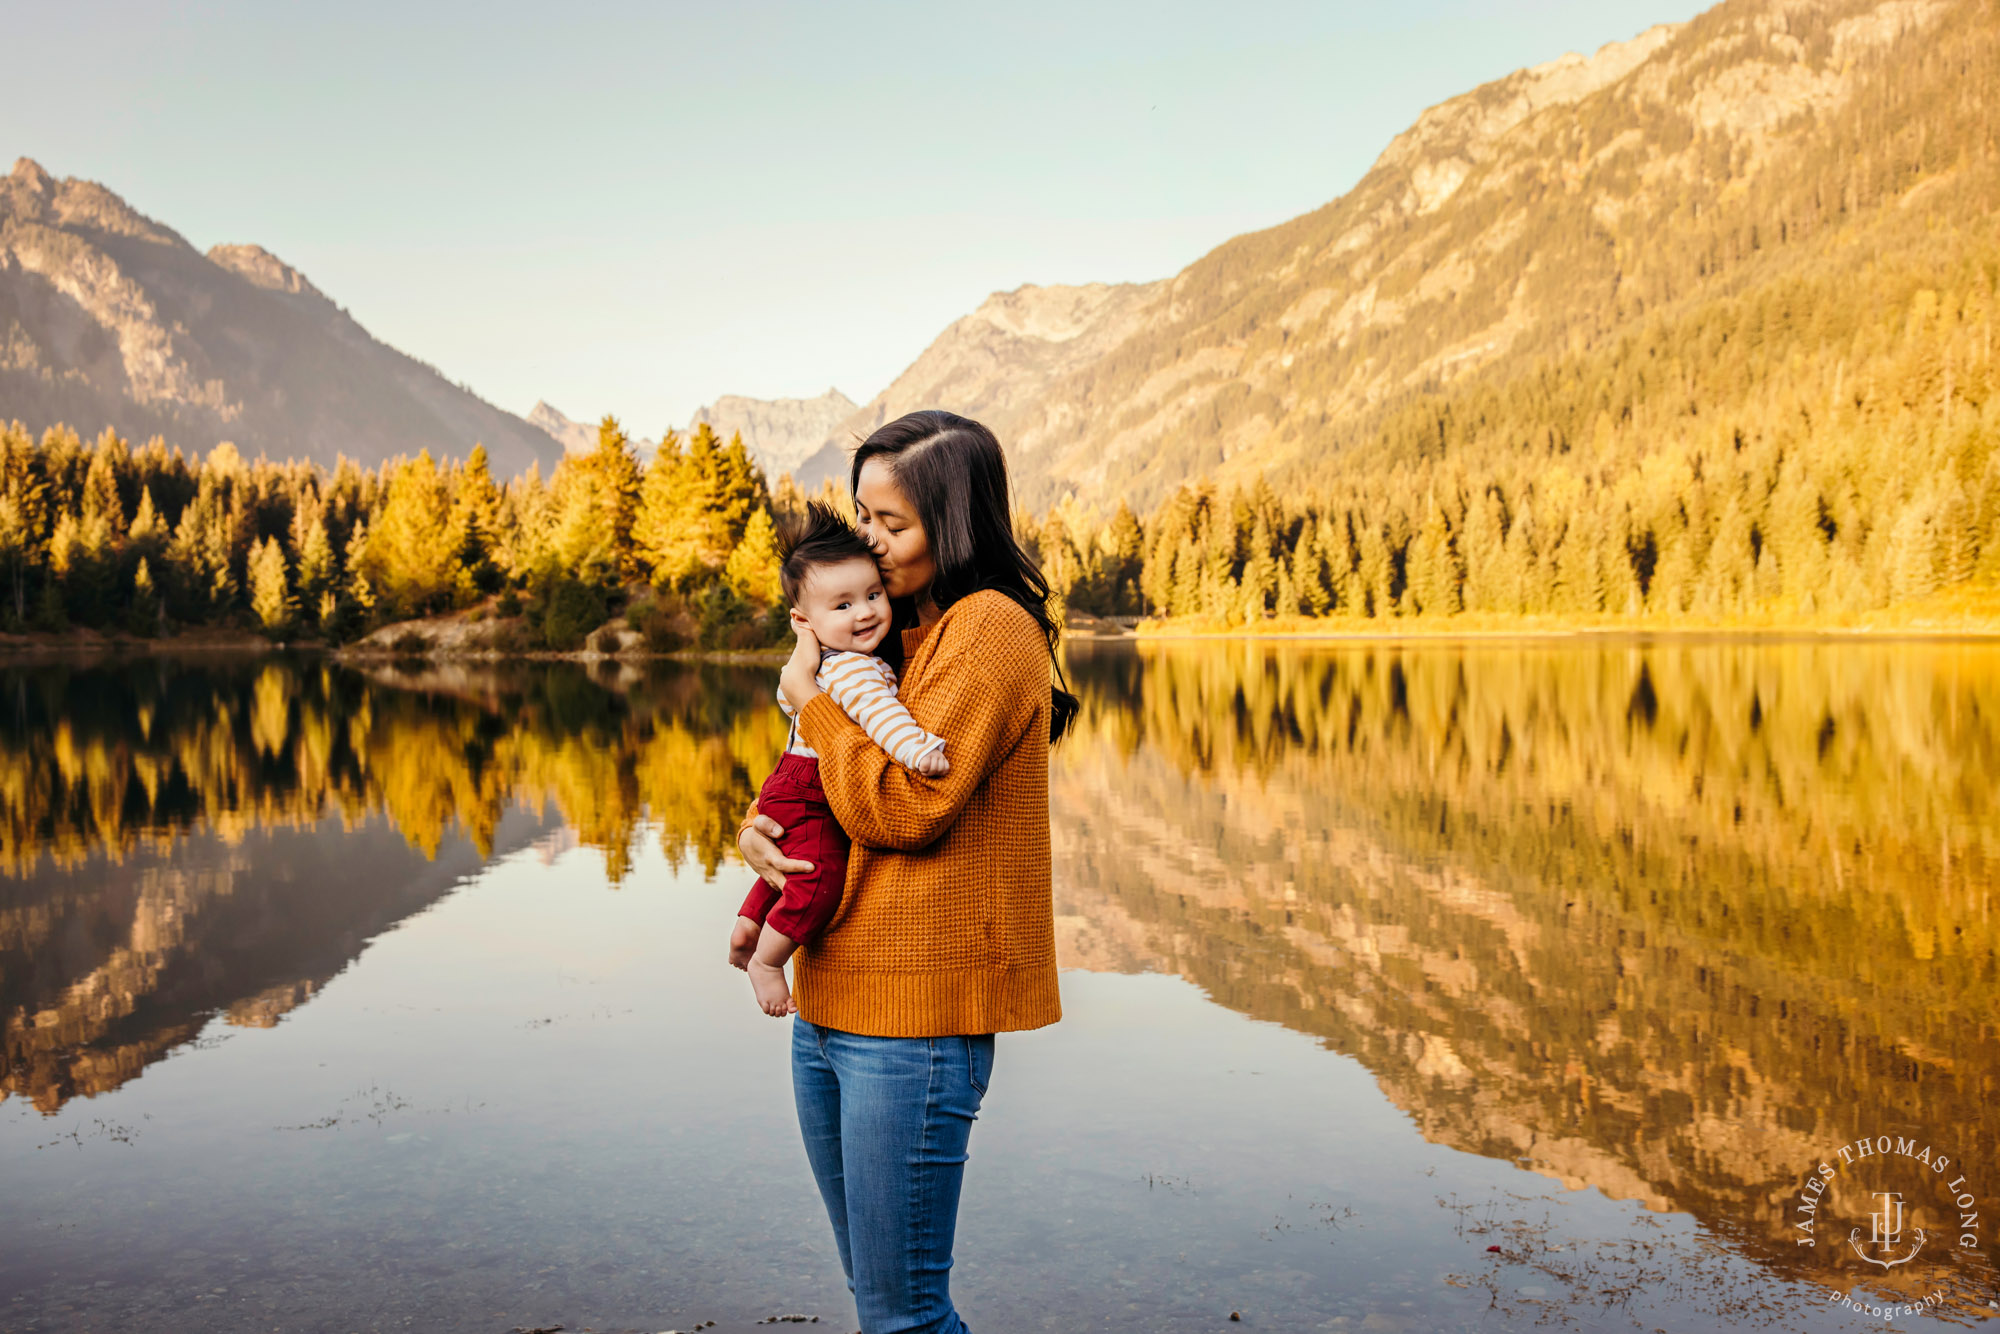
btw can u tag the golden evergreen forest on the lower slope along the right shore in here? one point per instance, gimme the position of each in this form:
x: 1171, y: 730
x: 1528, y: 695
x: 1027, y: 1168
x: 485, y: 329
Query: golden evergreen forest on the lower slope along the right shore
x: 1797, y: 455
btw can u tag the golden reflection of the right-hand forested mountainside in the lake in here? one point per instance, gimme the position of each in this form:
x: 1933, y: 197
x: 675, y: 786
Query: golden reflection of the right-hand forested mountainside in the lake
x: 1659, y: 921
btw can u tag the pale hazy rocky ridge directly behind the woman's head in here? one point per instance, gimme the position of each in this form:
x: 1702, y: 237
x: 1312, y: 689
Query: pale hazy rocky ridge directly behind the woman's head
x: 997, y: 361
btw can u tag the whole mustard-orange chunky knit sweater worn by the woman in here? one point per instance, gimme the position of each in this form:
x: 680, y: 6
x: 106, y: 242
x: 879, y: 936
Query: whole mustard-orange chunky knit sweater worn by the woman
x: 947, y: 923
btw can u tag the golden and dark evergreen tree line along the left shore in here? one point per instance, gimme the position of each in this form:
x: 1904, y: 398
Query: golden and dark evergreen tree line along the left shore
x: 145, y: 541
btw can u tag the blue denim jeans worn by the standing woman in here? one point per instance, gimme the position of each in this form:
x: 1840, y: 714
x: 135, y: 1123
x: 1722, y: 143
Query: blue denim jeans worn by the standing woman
x: 887, y: 1125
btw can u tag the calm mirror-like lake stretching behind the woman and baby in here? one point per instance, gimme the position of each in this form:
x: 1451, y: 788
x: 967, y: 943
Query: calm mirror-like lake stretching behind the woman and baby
x: 1407, y: 989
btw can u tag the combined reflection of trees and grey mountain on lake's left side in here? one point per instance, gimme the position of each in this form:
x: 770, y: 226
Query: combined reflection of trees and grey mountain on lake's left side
x: 225, y: 839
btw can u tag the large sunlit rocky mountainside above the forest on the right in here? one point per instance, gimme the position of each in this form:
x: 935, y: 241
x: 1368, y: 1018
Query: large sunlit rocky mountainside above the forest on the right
x: 1543, y: 217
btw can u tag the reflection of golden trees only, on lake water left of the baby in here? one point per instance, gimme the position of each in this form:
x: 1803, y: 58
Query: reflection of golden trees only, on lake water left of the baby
x: 115, y: 757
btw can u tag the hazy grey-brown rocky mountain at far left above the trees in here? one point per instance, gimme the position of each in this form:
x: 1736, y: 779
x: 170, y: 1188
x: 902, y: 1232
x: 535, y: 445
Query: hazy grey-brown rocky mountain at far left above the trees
x: 111, y: 319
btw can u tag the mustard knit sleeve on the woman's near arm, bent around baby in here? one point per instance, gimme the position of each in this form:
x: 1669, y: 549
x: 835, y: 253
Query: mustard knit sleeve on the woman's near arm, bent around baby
x: 983, y: 687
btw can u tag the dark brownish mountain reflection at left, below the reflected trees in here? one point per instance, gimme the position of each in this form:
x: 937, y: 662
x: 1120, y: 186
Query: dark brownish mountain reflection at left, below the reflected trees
x: 109, y: 967
